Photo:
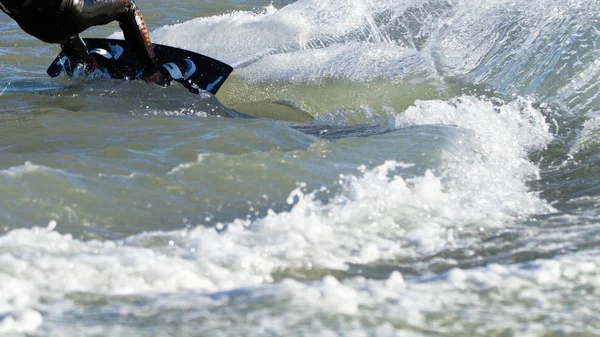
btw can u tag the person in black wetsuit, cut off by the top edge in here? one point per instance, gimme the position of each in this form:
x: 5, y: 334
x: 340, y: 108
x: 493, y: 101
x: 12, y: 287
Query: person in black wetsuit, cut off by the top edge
x: 61, y: 21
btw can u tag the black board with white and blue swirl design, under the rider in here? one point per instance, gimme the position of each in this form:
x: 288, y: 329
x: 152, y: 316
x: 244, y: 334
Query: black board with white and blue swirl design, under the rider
x: 198, y: 73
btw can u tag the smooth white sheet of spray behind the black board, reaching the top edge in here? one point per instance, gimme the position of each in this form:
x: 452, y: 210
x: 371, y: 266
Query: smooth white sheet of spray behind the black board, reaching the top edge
x: 303, y: 41
